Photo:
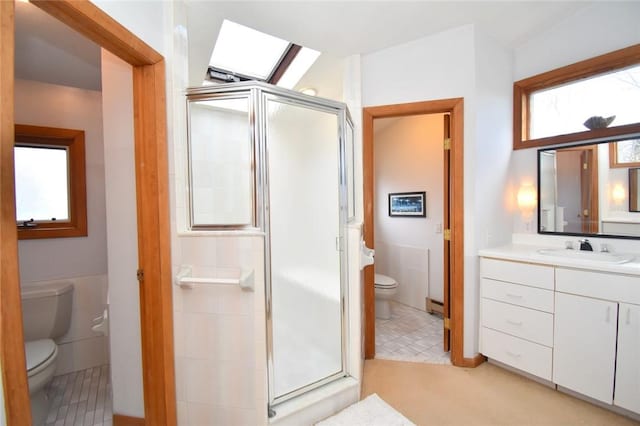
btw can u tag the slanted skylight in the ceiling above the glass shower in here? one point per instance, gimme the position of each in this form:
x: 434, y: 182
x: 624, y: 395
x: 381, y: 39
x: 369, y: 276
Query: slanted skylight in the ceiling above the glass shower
x: 242, y: 53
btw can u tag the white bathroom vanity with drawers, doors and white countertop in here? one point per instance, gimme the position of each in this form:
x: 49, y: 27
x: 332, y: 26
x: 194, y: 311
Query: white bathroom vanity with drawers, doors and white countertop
x: 567, y: 317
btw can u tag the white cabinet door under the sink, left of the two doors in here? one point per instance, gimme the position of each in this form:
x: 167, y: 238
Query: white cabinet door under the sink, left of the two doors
x: 585, y: 345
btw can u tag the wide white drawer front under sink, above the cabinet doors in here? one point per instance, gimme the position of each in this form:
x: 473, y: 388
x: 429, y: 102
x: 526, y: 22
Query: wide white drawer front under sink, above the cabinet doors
x: 614, y: 287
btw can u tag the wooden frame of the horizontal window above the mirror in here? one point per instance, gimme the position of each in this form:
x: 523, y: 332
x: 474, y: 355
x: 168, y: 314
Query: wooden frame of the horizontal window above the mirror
x: 523, y: 89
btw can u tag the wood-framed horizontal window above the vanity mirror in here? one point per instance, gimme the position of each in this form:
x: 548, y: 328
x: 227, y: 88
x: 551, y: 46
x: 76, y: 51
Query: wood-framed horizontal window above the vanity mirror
x: 554, y: 107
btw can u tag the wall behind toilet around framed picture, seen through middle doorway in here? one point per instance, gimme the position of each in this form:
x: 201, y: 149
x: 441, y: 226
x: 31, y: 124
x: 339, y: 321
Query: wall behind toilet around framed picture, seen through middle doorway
x: 409, y: 156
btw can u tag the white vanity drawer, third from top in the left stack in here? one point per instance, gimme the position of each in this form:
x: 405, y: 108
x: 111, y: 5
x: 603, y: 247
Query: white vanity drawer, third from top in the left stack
x: 520, y: 322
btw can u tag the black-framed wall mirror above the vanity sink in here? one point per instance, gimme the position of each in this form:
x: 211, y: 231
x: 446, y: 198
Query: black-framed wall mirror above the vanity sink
x: 590, y: 189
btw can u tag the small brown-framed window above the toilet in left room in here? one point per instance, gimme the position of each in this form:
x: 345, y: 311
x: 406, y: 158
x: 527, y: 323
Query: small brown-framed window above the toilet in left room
x: 50, y: 182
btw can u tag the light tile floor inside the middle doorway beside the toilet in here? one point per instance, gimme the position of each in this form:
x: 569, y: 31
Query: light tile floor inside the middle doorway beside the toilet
x: 410, y: 335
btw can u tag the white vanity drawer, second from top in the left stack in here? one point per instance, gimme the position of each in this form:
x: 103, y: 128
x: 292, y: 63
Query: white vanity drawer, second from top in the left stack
x: 529, y: 297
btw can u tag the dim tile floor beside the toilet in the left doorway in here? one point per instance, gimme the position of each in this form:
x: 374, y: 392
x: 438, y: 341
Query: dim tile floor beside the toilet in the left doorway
x: 81, y: 398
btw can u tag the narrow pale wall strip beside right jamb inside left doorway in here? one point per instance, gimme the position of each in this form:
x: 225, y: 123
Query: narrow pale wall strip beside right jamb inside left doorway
x: 122, y: 242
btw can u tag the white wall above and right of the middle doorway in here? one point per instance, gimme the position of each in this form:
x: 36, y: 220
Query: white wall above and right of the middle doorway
x: 459, y: 63
